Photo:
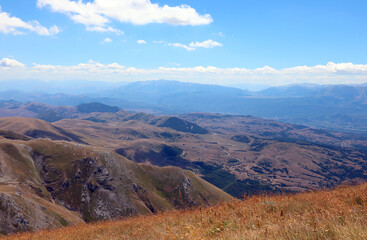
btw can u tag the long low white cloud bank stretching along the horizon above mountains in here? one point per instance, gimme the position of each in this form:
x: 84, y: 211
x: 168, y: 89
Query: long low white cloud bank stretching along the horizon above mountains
x: 331, y: 73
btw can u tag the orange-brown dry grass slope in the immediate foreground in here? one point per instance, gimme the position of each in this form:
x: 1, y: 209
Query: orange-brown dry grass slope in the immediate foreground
x: 336, y: 214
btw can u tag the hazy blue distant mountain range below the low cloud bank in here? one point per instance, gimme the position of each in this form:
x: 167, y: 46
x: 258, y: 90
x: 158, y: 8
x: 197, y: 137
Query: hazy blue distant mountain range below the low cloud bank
x: 334, y: 107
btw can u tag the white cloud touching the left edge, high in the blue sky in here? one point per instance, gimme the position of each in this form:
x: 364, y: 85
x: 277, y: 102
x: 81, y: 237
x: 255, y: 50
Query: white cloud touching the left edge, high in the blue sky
x: 16, y: 26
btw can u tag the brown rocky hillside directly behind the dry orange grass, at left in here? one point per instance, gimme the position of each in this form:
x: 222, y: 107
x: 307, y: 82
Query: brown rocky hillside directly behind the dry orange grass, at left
x: 45, y: 184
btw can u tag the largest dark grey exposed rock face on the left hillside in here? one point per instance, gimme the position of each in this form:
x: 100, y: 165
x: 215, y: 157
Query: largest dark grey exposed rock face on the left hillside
x: 87, y: 187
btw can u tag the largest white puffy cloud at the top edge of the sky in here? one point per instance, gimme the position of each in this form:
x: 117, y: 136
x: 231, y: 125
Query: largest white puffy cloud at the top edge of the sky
x: 99, y: 13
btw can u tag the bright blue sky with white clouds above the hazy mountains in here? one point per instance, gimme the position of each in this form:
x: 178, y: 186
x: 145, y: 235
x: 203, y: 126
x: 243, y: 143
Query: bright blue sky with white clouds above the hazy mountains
x: 272, y: 42
